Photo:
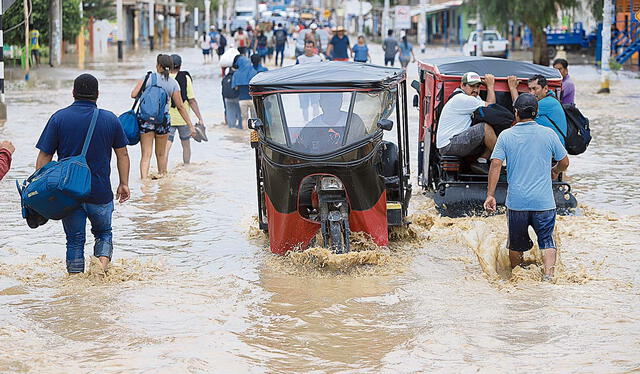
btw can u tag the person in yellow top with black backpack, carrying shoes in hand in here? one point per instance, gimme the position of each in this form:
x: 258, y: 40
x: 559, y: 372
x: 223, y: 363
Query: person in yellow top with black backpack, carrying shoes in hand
x: 178, y: 124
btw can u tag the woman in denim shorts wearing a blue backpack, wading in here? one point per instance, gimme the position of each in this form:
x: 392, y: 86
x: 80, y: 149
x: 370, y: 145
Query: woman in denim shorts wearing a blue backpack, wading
x: 160, y: 133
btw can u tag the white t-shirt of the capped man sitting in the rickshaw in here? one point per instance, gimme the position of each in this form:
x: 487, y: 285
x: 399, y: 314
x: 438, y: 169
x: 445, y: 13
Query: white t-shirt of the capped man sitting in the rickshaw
x: 456, y: 117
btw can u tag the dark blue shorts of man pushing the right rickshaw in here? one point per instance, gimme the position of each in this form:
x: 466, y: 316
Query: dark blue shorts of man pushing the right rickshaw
x: 542, y: 221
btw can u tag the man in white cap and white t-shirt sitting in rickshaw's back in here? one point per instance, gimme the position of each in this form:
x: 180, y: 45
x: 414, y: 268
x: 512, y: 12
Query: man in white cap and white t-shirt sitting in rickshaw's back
x: 456, y: 136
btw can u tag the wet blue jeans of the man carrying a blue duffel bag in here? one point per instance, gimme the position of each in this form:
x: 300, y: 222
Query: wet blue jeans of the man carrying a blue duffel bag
x: 75, y: 225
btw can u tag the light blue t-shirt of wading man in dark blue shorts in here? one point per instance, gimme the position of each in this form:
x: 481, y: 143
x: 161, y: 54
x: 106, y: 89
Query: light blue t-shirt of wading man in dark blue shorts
x: 528, y: 149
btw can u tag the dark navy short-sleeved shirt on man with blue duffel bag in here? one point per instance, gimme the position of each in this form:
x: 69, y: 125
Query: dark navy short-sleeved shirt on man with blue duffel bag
x: 65, y: 132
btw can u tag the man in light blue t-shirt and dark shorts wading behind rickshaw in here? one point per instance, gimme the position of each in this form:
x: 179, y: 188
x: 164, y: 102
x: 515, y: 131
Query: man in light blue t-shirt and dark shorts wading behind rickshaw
x: 528, y: 149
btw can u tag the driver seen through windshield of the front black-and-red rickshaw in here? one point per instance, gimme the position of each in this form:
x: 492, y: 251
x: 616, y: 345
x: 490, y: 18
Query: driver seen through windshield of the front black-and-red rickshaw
x: 325, y: 133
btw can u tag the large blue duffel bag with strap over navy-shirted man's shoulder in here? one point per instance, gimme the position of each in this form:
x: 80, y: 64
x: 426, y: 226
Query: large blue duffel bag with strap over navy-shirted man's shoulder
x: 57, y: 188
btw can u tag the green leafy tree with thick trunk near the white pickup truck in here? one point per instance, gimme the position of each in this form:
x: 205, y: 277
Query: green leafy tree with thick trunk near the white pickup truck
x: 536, y: 14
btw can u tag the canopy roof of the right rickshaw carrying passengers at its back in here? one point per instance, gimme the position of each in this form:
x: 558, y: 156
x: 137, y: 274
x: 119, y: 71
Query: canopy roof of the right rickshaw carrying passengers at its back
x: 488, y: 65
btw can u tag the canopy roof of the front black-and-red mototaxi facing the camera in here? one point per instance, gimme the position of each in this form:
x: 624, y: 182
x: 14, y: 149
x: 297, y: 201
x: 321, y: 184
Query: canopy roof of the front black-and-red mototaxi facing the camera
x: 326, y: 75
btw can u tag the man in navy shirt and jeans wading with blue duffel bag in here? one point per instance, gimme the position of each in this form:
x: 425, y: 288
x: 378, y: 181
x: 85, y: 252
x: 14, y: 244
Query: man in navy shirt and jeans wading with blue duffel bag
x: 64, y: 134
